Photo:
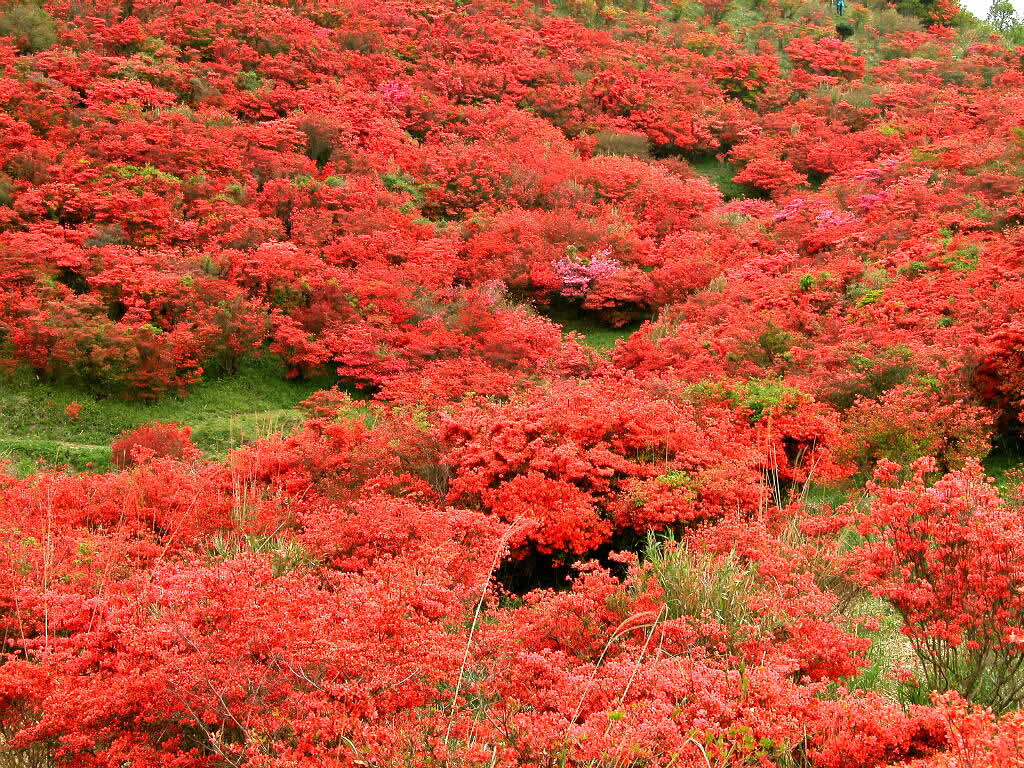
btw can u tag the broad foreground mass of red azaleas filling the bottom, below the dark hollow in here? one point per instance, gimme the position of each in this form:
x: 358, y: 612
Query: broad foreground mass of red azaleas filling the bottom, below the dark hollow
x: 197, y: 614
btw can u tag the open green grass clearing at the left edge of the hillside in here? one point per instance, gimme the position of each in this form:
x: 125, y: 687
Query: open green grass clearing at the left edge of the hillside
x: 223, y: 412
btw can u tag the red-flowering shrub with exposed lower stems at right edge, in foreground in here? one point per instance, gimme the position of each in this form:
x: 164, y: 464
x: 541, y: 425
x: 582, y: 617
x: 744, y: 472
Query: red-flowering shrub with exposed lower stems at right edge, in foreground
x: 949, y: 560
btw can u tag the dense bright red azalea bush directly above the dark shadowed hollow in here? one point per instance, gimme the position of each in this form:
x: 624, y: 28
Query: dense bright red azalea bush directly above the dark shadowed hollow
x: 586, y: 460
